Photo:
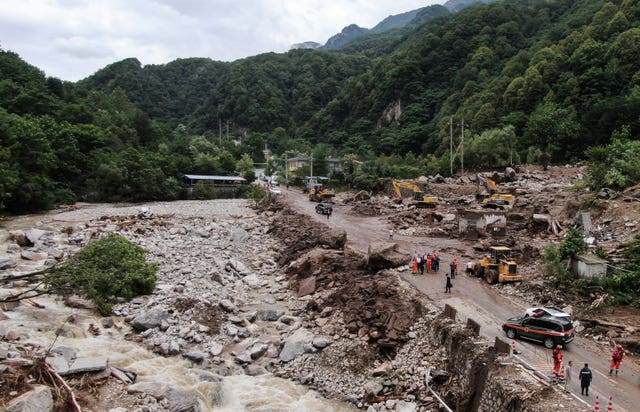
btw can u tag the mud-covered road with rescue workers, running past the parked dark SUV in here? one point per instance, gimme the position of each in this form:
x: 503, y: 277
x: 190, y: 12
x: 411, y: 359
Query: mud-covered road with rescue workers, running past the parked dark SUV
x: 484, y: 303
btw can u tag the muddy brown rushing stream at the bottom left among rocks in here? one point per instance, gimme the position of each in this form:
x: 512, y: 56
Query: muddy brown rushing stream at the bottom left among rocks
x: 239, y: 393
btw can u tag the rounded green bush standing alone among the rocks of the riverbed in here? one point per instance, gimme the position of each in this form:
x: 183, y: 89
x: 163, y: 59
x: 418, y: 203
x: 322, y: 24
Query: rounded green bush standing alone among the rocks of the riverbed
x: 105, y: 271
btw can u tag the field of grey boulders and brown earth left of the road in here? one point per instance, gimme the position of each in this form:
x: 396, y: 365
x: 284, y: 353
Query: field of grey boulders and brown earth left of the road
x: 236, y: 295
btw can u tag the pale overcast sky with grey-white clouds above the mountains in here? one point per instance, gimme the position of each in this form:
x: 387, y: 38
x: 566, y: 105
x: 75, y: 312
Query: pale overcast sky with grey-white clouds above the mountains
x: 72, y: 39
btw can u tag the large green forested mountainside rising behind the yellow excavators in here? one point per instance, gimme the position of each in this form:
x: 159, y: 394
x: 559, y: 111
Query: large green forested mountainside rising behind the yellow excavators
x: 562, y: 75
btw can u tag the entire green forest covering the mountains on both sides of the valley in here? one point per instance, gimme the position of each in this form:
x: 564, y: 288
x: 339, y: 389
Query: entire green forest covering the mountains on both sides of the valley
x: 557, y: 79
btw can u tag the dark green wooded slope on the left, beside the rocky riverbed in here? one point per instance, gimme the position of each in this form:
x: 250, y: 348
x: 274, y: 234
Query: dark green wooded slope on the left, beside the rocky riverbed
x: 60, y: 143
